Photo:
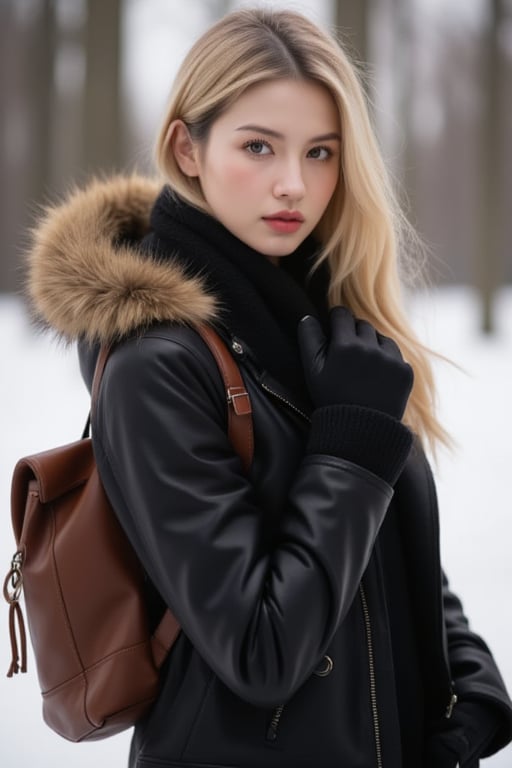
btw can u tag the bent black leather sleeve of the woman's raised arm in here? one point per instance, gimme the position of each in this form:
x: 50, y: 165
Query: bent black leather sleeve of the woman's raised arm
x: 261, y: 618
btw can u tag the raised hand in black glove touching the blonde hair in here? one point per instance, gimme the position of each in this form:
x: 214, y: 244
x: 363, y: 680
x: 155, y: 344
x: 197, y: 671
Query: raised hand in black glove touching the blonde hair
x: 355, y: 366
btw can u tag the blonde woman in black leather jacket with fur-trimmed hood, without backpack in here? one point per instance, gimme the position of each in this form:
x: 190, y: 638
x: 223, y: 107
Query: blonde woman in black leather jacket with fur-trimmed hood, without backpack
x: 318, y: 628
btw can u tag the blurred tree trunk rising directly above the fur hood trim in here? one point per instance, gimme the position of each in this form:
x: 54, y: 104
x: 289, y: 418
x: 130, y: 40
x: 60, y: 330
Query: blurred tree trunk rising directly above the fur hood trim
x: 103, y: 149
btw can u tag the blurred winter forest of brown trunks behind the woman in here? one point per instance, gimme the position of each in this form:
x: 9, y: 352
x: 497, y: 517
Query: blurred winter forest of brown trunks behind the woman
x: 83, y: 84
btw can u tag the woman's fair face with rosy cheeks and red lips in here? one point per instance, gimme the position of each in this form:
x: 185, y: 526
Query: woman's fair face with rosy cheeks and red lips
x: 271, y: 164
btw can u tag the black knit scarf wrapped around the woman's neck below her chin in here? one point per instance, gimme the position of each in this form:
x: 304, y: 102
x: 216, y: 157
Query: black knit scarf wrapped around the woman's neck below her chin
x: 260, y: 303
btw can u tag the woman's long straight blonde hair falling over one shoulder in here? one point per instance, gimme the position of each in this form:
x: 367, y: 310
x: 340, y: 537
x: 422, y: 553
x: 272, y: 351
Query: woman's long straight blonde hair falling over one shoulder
x: 362, y: 231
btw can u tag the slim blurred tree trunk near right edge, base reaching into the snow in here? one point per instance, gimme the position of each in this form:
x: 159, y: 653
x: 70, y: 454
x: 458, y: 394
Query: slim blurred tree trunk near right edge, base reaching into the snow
x: 489, y: 270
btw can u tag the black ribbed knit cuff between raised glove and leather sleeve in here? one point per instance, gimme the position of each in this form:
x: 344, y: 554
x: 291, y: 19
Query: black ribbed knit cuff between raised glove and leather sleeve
x: 372, y: 439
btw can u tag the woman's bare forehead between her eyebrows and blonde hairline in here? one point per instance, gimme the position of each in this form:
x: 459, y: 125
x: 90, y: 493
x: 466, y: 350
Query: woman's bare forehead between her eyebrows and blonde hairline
x: 286, y: 106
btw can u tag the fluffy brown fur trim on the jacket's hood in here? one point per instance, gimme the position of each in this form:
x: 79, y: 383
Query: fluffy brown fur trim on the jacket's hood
x: 82, y: 285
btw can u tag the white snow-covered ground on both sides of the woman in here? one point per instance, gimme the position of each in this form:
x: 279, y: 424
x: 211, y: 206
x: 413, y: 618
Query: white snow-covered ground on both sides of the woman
x: 43, y: 402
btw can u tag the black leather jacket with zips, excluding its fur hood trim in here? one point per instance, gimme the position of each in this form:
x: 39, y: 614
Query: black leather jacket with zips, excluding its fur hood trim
x: 273, y: 577
